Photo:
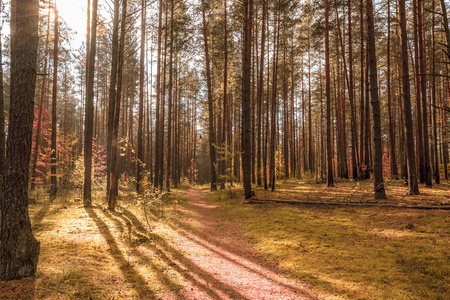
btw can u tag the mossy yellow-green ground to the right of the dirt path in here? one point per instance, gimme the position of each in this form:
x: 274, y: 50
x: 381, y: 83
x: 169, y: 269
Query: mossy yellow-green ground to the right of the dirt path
x: 351, y: 252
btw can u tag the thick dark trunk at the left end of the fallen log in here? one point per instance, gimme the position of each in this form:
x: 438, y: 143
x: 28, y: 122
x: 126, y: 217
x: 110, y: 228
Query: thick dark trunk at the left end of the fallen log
x: 246, y: 99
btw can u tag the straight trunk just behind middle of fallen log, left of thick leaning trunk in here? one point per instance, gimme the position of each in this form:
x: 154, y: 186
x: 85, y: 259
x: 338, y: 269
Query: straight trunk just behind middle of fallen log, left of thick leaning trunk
x: 328, y: 95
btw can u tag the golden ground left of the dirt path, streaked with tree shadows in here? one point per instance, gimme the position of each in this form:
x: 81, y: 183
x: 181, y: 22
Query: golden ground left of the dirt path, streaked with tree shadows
x: 96, y: 254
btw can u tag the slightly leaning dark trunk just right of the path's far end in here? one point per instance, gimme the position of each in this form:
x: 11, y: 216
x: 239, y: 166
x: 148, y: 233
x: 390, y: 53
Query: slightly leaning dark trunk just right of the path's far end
x: 212, y: 135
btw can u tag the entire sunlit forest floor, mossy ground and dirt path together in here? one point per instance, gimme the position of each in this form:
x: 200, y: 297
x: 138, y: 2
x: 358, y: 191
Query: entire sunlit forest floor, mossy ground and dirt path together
x: 197, y: 244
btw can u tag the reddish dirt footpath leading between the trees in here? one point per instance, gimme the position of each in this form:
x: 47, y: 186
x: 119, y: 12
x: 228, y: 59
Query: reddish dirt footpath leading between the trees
x: 231, y: 268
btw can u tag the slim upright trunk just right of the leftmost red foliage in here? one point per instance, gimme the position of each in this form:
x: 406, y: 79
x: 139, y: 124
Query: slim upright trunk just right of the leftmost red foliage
x: 54, y: 179
